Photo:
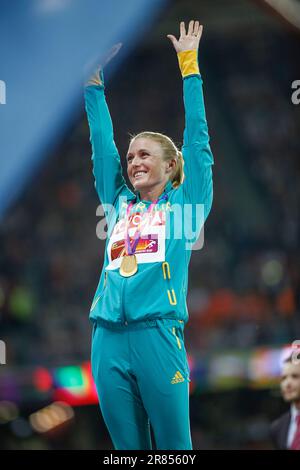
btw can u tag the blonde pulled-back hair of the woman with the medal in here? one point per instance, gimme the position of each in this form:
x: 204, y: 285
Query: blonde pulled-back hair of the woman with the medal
x: 170, y: 151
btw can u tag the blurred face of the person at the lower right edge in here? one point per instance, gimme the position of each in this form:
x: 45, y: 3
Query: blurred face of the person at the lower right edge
x: 290, y: 383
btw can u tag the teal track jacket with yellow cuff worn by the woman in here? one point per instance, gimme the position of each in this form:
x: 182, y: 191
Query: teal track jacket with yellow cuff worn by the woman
x: 159, y: 288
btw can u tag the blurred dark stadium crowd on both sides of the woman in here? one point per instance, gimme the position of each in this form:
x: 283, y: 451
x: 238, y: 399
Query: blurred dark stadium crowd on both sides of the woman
x: 244, y: 283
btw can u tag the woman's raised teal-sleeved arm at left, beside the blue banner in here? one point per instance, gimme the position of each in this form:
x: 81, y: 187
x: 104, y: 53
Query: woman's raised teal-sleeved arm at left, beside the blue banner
x: 107, y: 169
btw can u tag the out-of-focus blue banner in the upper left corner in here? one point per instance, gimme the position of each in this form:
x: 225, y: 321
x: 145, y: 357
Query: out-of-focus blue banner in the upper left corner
x: 46, y: 49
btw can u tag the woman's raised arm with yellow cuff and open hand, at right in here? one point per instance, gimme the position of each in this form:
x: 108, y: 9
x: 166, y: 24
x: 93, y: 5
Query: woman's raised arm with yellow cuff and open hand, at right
x: 197, y: 154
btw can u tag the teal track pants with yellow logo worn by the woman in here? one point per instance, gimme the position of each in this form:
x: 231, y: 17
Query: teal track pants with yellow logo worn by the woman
x: 142, y: 376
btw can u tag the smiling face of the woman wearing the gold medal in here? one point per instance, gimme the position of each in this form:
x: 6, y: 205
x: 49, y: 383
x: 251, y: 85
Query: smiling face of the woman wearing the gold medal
x: 145, y: 165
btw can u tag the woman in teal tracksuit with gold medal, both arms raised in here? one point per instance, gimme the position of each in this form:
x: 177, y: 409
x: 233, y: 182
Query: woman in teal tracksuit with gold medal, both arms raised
x: 139, y: 361
